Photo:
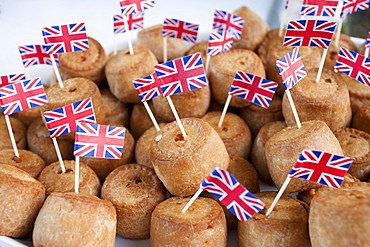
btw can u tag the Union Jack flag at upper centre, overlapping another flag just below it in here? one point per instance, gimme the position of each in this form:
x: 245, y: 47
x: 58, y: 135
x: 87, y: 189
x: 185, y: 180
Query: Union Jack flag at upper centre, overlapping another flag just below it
x: 223, y: 20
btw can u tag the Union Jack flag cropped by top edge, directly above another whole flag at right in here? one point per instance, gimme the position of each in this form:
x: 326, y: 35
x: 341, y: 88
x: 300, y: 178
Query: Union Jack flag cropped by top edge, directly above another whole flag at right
x: 319, y: 7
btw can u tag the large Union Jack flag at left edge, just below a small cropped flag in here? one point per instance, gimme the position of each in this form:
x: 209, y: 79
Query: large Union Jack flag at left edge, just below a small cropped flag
x: 22, y: 95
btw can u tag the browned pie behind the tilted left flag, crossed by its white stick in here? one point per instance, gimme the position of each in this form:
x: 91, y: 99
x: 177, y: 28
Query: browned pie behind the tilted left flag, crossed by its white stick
x: 39, y: 142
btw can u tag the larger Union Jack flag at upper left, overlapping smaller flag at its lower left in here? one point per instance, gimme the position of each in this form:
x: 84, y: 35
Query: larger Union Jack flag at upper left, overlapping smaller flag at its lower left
x: 66, y: 38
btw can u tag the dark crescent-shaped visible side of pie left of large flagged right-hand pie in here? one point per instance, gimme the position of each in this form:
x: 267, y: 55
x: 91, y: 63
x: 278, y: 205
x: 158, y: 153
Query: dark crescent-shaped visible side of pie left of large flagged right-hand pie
x: 258, y: 156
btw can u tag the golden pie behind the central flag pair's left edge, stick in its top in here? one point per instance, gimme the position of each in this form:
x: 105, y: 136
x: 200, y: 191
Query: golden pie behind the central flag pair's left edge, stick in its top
x: 122, y: 68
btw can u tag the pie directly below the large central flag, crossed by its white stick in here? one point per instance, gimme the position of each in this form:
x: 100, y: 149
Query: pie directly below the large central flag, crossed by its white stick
x: 193, y: 103
